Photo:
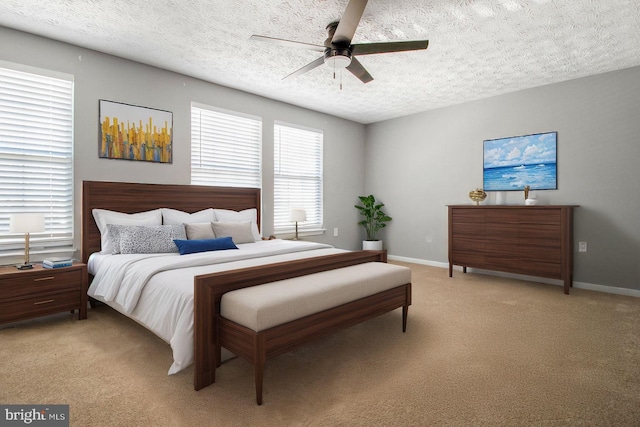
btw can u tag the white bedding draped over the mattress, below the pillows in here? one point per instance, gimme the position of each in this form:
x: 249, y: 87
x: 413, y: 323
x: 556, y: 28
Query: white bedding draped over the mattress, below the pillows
x: 157, y: 290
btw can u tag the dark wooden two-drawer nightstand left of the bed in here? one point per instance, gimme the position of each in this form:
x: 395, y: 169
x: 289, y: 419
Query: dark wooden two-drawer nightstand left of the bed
x: 25, y: 294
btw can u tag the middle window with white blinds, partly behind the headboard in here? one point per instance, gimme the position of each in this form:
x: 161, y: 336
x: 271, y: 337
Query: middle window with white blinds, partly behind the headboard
x: 226, y: 148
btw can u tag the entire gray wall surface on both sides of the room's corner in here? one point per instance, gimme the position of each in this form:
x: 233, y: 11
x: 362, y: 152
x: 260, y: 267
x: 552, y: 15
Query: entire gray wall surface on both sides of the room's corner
x: 416, y: 164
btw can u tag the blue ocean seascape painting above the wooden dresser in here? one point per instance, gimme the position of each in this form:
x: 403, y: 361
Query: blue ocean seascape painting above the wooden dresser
x: 515, y: 162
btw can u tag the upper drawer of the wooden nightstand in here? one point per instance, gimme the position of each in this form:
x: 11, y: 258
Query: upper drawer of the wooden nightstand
x: 39, y: 282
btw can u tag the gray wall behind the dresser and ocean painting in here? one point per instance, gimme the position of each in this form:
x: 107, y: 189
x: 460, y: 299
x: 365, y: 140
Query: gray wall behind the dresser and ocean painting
x: 418, y: 164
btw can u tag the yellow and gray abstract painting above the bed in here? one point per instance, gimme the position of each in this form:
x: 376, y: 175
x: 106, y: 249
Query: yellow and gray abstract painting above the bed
x: 133, y: 132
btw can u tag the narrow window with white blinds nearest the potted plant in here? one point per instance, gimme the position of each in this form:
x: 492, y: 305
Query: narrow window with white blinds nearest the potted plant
x: 297, y: 176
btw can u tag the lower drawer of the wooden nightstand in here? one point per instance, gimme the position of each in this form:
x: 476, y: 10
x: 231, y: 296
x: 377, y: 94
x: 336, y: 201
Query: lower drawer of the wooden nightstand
x: 39, y: 305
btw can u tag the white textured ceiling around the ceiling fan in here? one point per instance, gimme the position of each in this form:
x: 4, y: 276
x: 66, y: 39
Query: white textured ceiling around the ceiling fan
x: 477, y: 48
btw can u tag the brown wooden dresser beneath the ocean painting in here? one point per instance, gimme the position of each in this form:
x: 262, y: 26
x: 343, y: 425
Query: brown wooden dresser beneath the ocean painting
x: 529, y: 240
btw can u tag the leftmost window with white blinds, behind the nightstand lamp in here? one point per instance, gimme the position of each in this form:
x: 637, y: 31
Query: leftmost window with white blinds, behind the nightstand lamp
x: 36, y: 149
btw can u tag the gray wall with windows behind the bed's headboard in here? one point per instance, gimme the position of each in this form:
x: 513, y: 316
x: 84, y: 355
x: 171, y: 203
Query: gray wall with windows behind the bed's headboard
x: 100, y: 76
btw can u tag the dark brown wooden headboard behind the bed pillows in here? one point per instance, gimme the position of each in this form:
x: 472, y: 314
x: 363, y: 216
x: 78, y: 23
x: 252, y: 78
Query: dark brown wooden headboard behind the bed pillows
x: 132, y: 197
